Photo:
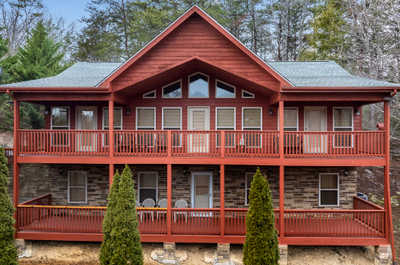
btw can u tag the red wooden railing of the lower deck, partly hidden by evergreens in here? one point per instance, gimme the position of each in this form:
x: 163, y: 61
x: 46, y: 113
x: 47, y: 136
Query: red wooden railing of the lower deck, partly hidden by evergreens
x: 188, y: 221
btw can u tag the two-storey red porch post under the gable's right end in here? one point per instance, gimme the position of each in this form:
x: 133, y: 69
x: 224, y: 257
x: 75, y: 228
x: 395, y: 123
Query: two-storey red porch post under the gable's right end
x: 281, y: 171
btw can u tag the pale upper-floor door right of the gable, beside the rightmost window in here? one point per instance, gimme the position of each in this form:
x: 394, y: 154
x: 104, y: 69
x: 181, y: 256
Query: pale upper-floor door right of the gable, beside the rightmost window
x: 315, y: 121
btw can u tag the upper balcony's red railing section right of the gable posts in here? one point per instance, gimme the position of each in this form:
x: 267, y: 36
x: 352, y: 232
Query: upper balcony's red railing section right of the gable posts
x: 334, y: 143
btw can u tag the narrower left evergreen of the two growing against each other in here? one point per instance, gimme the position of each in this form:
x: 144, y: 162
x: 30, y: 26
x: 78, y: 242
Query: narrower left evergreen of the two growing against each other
x: 107, y: 246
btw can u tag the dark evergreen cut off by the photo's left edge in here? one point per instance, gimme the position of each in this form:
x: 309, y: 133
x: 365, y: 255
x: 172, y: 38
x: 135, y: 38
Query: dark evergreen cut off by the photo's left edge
x: 8, y: 251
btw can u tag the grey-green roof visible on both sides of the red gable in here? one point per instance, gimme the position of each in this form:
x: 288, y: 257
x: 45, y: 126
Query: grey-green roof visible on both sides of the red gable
x: 299, y: 74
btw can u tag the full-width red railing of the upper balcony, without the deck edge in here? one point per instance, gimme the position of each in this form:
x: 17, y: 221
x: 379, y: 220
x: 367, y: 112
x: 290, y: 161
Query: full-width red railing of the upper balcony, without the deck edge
x: 228, y: 144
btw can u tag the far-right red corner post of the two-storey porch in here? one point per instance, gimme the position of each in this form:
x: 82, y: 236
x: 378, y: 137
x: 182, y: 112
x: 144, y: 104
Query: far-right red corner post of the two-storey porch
x: 387, y: 197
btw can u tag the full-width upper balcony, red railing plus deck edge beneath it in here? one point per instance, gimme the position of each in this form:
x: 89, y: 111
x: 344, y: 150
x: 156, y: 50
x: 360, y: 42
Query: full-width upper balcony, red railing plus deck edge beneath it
x: 300, y: 148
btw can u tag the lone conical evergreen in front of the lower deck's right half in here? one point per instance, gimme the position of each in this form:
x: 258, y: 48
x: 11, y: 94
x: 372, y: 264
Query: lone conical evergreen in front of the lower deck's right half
x: 261, y: 245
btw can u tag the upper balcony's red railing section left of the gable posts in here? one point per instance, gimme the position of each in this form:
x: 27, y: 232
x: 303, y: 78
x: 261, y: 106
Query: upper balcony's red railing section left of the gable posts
x: 63, y: 142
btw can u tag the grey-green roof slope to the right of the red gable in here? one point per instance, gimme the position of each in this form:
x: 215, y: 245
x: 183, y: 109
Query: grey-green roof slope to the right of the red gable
x: 323, y: 74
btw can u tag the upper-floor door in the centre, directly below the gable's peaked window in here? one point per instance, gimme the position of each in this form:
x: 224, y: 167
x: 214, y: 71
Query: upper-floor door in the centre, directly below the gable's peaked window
x: 198, y: 120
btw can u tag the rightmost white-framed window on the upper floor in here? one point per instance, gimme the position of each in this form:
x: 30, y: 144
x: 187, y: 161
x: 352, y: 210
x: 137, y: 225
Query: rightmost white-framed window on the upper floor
x: 343, y: 122
